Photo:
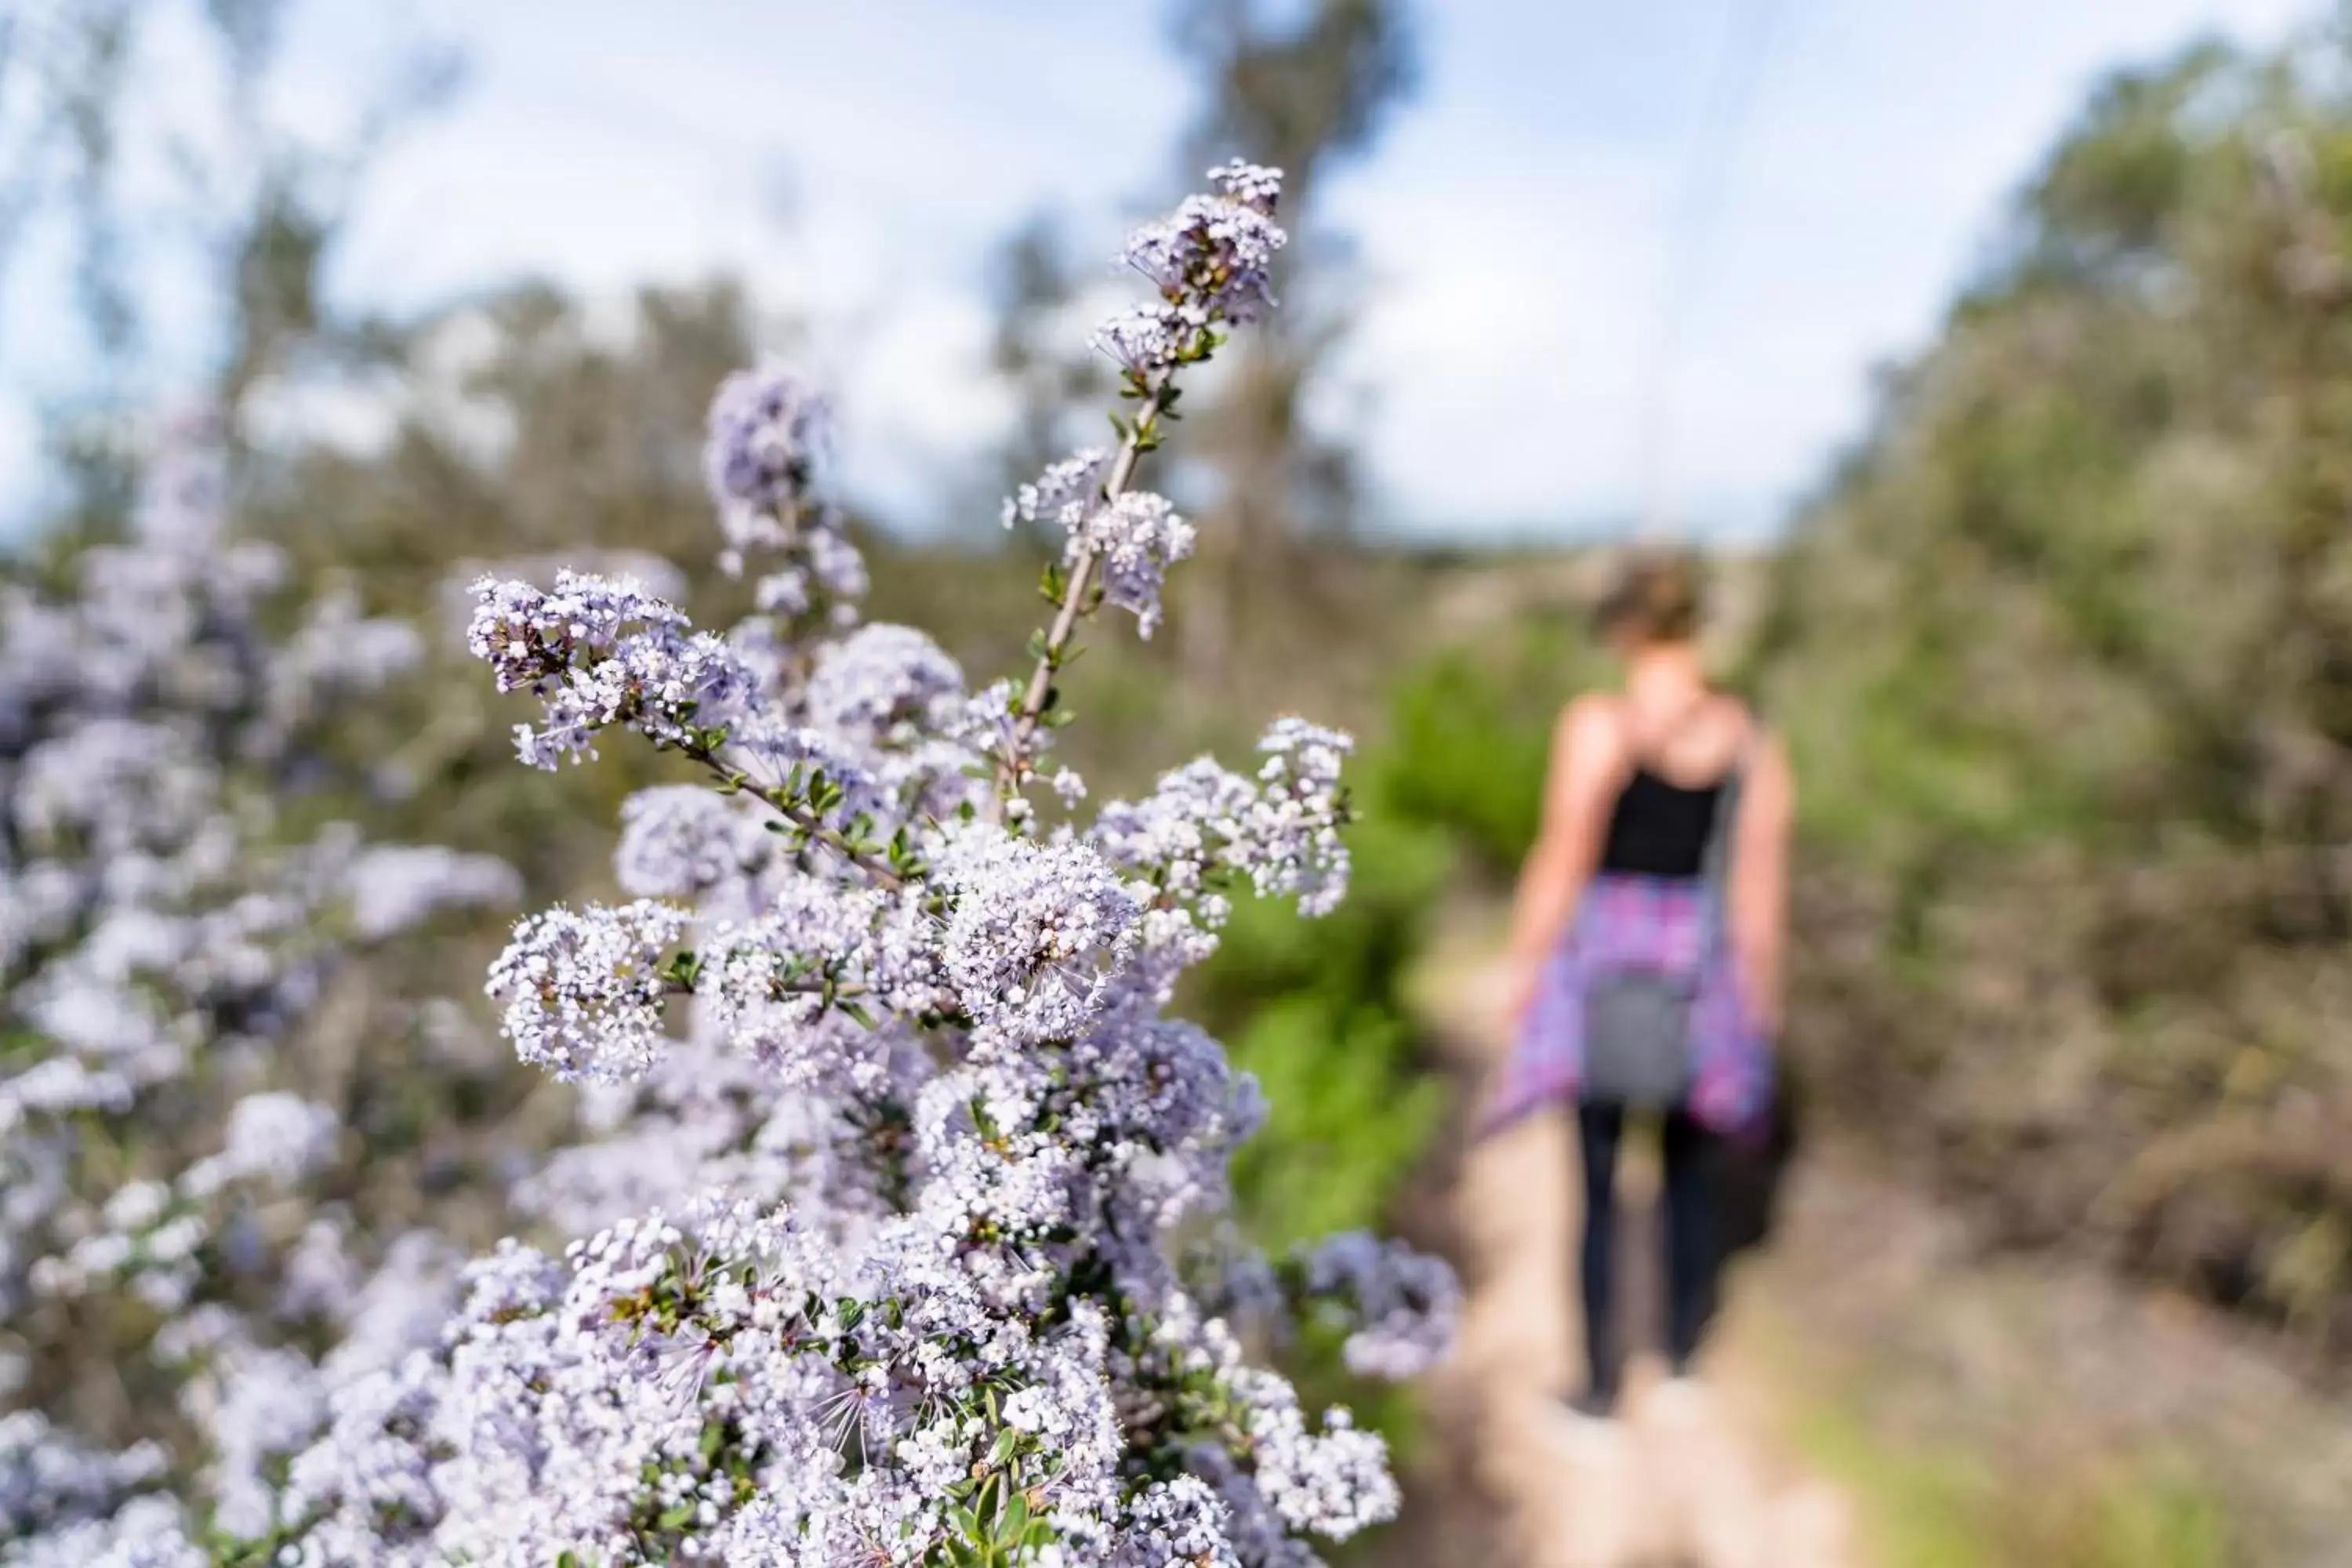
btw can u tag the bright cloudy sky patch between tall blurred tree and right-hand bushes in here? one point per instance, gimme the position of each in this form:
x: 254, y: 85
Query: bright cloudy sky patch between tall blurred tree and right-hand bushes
x: 1525, y: 213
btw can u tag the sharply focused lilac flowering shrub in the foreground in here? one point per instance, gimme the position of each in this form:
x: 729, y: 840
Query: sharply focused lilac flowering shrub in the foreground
x: 907, y: 1195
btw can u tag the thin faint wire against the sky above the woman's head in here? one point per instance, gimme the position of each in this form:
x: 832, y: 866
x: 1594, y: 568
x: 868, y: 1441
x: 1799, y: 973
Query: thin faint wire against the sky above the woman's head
x: 1751, y: 29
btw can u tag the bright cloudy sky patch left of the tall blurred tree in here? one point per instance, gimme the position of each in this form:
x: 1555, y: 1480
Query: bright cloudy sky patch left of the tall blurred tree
x: 904, y: 140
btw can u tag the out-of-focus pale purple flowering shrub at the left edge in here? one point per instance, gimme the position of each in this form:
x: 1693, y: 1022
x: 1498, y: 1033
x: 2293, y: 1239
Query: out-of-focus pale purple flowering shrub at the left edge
x: 161, y: 939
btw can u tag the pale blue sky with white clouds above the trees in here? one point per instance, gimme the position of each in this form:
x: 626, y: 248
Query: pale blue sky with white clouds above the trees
x: 860, y: 161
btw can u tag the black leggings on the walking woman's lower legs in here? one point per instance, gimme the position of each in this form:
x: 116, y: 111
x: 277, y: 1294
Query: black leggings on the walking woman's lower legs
x: 1692, y: 1257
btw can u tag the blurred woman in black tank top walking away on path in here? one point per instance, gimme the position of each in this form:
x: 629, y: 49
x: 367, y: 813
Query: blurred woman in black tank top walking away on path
x: 1648, y: 944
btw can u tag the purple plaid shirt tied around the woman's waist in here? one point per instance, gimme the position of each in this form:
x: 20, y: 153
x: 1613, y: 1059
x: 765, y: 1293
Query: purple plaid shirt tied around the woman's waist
x: 1641, y: 925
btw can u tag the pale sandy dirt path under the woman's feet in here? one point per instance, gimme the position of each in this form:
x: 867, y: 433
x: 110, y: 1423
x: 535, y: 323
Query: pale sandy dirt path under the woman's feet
x: 1692, y: 1475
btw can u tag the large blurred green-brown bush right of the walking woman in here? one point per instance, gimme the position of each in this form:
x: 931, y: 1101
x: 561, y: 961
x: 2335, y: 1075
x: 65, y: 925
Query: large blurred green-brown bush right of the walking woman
x: 2066, y: 652
